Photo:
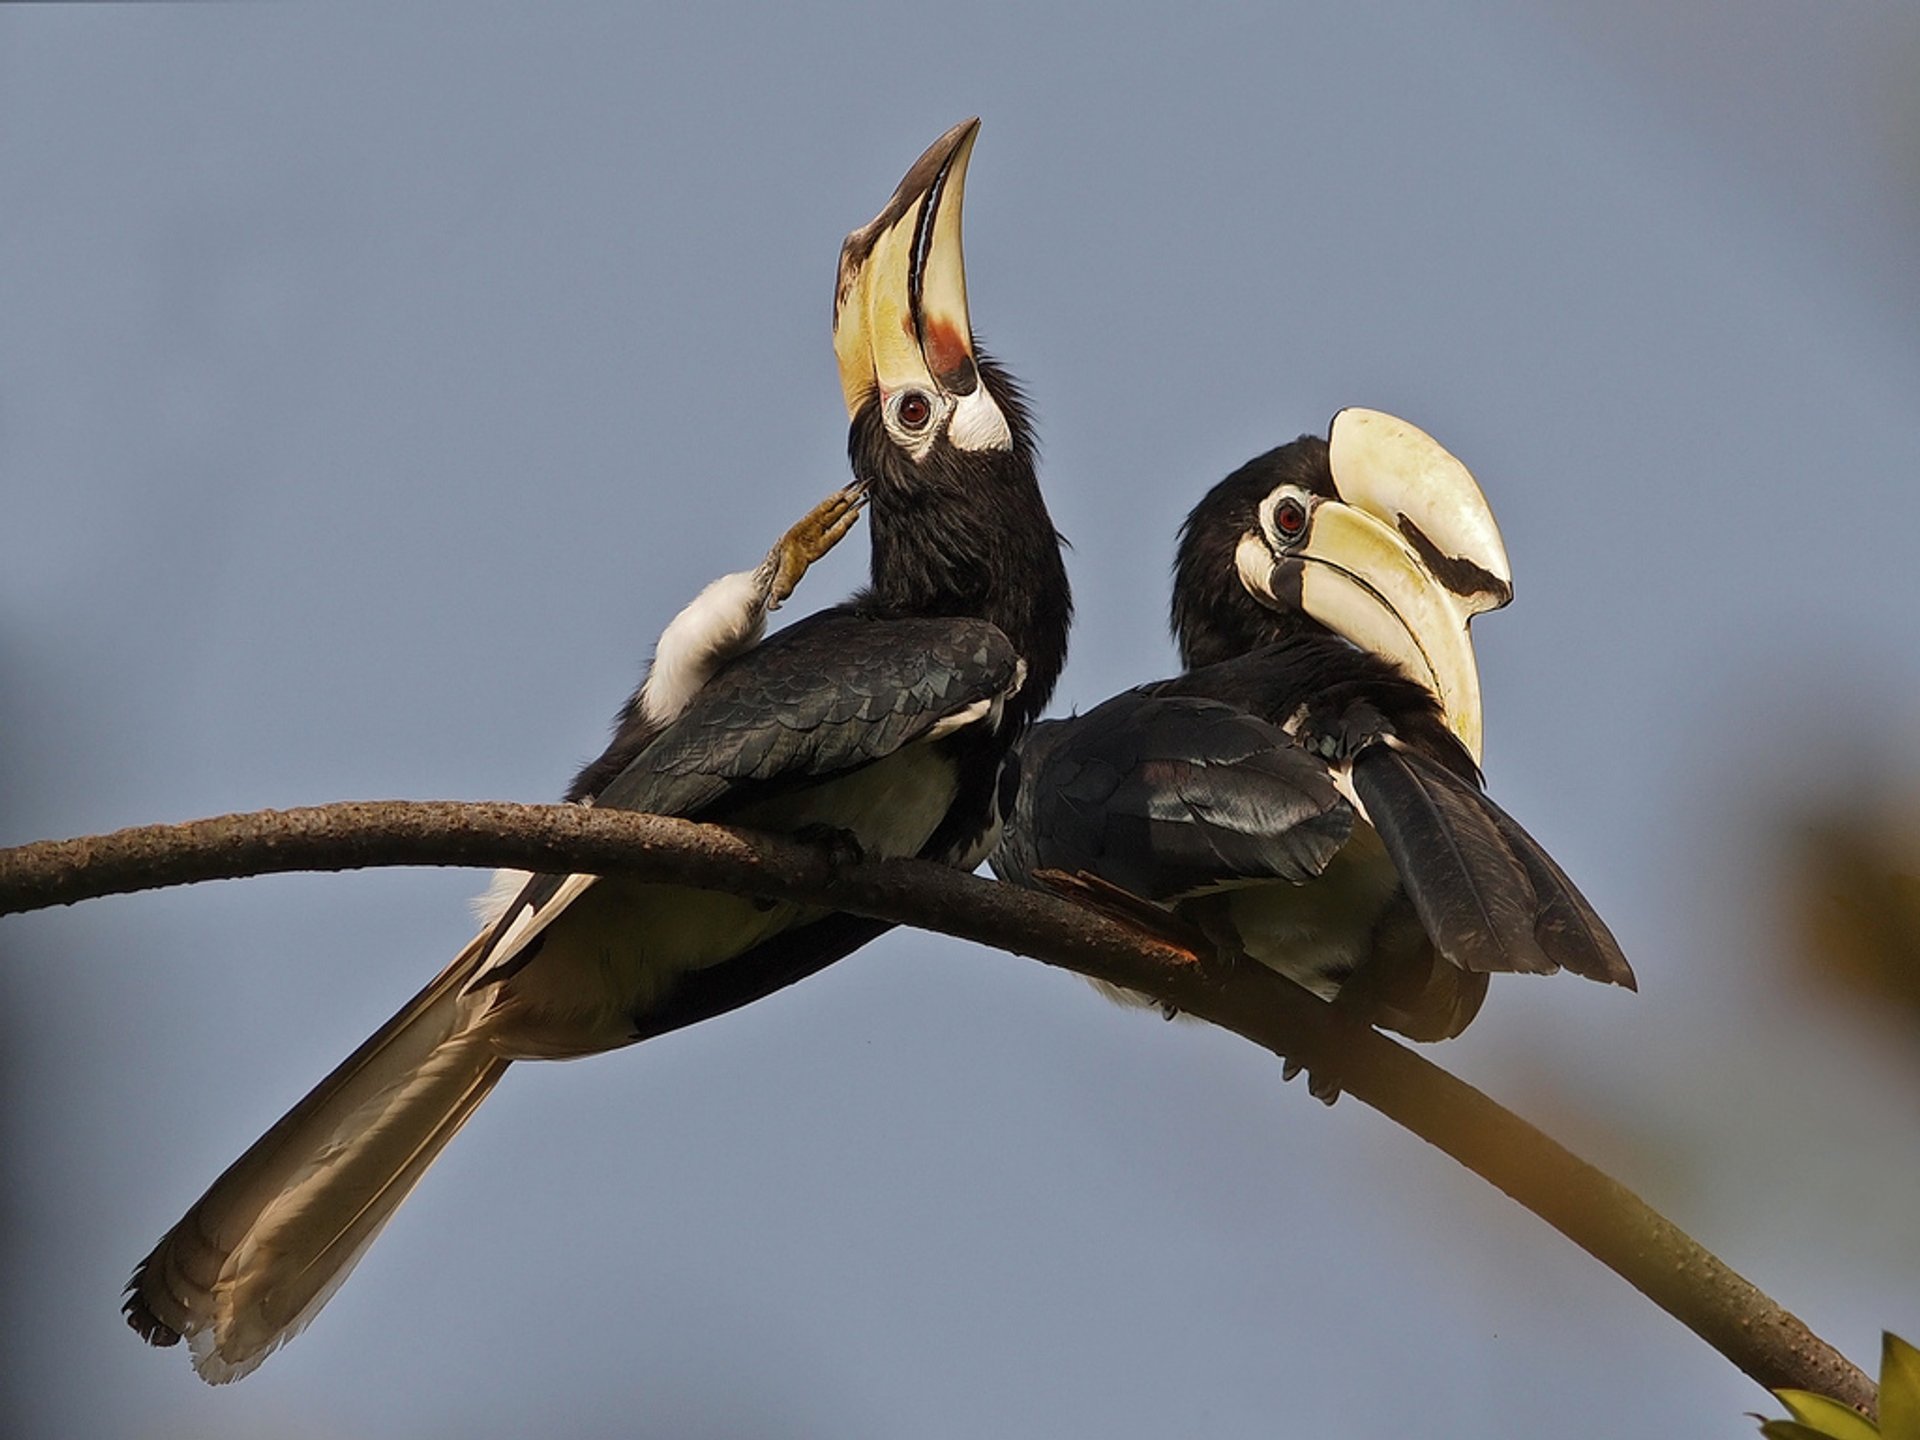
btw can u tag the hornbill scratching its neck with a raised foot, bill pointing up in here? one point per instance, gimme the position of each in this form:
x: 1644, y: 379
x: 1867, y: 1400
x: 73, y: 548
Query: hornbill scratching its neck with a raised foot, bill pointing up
x: 882, y: 723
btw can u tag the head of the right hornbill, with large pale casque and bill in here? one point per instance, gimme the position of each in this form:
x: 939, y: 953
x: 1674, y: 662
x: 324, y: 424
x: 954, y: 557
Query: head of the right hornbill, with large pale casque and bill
x: 1378, y: 535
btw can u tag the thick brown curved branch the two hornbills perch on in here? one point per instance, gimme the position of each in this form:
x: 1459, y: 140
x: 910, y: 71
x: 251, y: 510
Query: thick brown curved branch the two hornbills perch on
x: 1585, y: 1205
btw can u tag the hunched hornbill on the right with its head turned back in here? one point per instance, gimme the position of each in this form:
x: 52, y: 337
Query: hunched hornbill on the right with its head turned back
x: 1308, y: 792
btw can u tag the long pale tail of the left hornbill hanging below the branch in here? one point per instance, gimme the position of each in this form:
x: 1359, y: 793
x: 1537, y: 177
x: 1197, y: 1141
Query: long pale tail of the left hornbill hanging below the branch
x: 270, y: 1243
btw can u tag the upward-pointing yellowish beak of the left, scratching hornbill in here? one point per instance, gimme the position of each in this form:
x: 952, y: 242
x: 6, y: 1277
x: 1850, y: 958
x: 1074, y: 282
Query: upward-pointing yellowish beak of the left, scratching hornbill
x: 900, y: 310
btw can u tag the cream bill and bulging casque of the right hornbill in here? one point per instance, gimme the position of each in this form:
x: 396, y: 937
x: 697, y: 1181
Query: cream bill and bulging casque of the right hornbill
x: 1401, y: 564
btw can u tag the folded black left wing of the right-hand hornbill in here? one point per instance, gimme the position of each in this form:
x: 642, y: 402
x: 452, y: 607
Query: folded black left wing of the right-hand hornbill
x: 1168, y: 796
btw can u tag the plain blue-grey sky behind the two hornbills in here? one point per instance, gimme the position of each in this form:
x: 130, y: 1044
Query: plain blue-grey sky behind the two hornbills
x: 377, y: 381
